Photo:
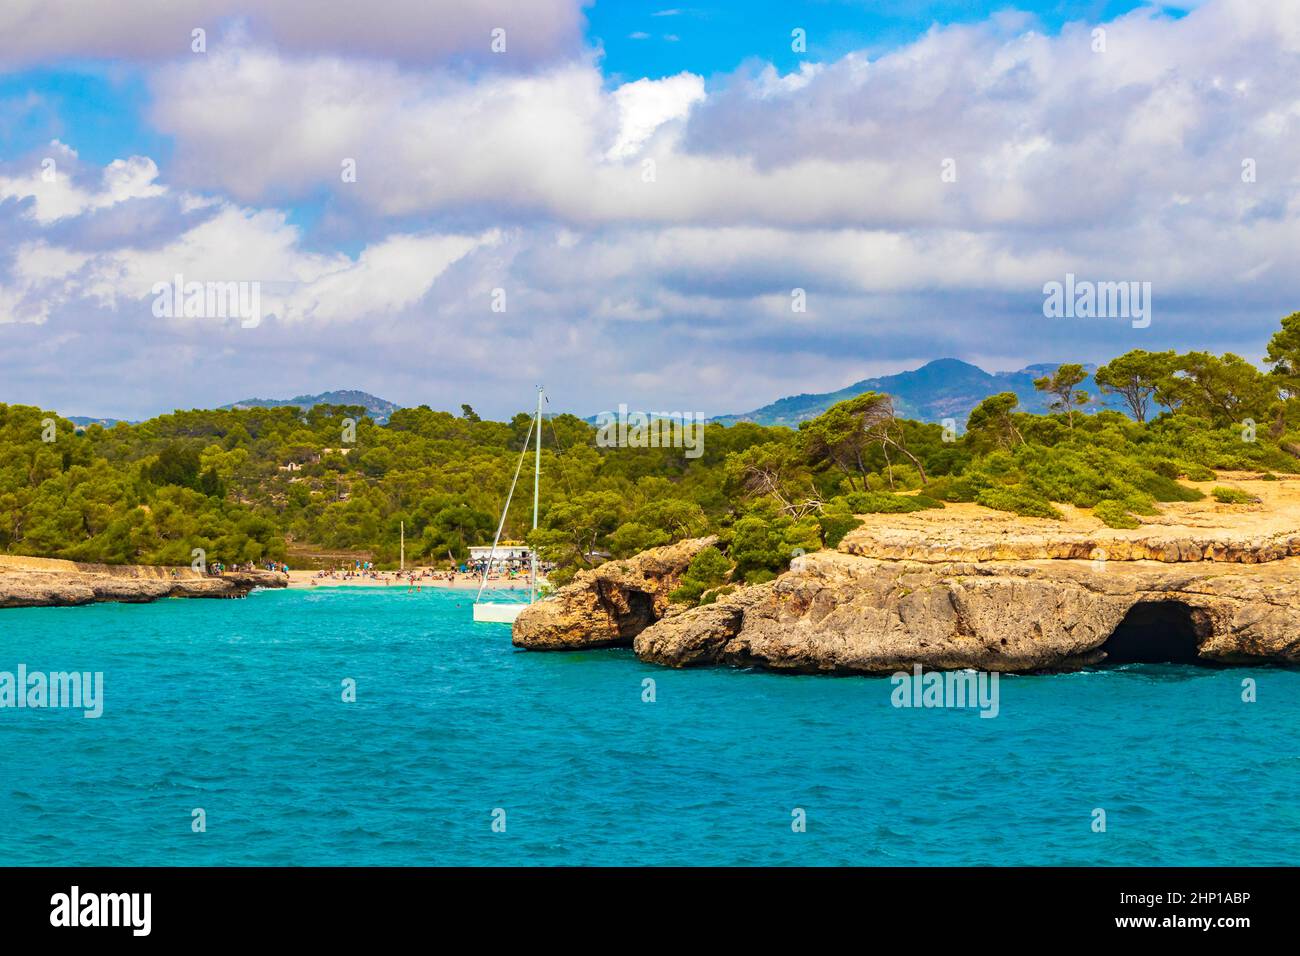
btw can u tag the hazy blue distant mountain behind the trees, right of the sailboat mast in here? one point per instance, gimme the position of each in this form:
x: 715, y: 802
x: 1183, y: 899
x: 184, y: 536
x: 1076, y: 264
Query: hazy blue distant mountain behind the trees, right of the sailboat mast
x: 941, y: 390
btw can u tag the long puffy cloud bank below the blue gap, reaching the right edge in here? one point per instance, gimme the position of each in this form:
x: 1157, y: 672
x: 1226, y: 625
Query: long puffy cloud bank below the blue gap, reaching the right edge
x: 1026, y: 123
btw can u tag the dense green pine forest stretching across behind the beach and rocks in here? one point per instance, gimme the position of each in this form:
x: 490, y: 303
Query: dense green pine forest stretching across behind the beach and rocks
x: 310, y: 486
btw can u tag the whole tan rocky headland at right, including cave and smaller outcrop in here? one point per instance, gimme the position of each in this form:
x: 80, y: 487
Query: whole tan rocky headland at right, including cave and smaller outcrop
x: 965, y: 587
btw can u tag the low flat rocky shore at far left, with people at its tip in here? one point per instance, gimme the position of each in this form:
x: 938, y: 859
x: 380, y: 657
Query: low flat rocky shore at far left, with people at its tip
x: 51, y: 583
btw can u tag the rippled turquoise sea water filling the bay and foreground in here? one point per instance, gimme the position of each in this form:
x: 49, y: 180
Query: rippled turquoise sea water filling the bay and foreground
x: 236, y: 707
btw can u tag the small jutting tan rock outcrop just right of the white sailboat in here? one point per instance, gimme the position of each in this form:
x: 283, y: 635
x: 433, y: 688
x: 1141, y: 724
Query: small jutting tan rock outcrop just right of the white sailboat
x: 609, y: 605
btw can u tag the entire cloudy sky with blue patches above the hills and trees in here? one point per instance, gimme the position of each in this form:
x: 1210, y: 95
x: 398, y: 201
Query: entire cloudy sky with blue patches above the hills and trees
x: 696, y: 209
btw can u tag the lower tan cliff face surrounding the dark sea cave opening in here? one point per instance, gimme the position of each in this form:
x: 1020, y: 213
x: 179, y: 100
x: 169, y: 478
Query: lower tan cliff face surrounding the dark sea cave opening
x: 843, y: 613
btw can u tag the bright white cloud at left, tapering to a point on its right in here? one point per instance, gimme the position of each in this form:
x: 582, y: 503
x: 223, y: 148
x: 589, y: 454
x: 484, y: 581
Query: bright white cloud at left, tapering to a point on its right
x: 226, y: 244
